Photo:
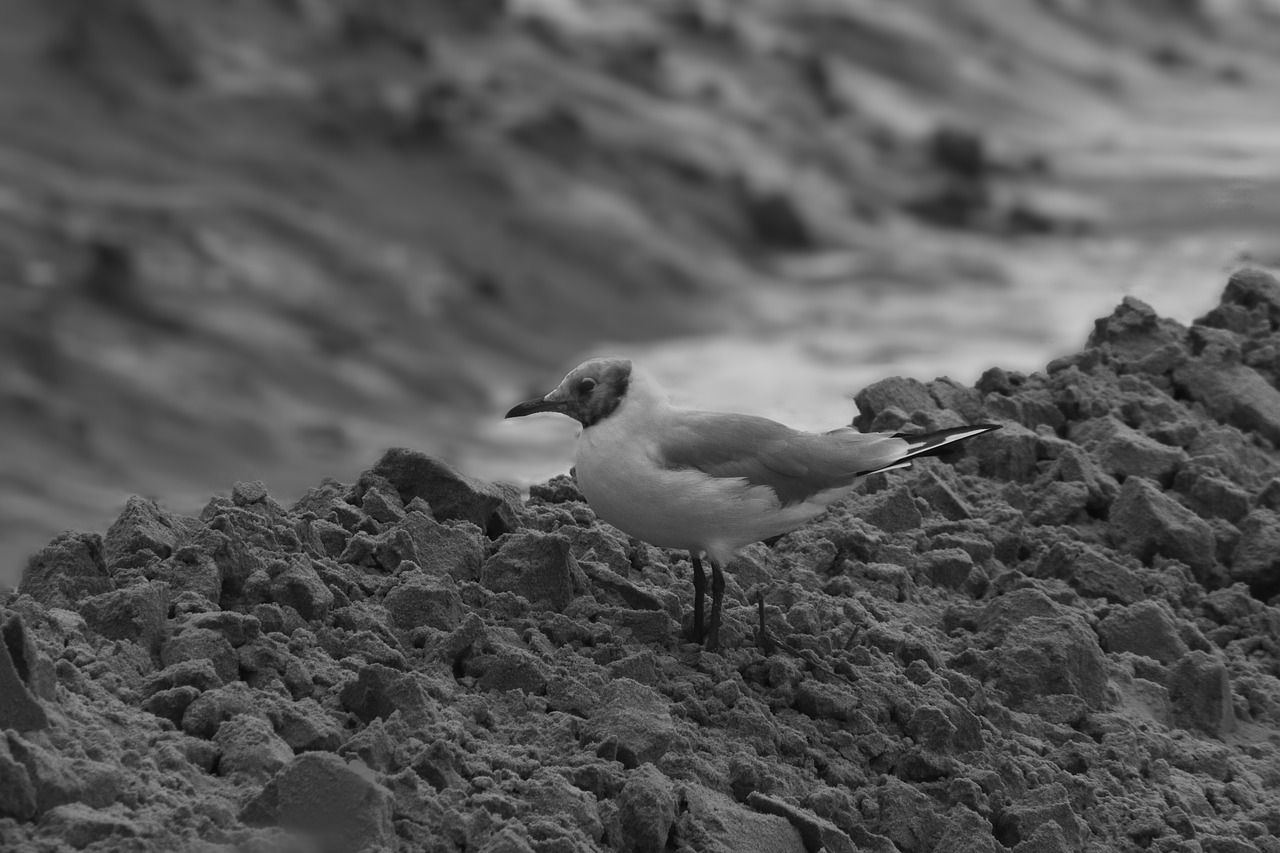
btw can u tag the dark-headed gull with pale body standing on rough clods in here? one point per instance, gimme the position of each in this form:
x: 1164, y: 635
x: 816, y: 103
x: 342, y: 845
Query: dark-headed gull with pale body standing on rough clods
x: 711, y: 483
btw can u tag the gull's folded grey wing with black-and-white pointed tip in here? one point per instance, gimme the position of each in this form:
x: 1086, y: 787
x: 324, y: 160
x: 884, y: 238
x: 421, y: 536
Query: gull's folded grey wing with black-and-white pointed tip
x: 796, y: 466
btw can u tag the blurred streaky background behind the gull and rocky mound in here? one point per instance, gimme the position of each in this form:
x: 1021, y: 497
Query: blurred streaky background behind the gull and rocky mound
x: 269, y: 239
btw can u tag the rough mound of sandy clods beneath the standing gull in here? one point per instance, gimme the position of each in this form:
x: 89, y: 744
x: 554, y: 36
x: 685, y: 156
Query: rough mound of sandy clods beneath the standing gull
x: 1064, y: 640
